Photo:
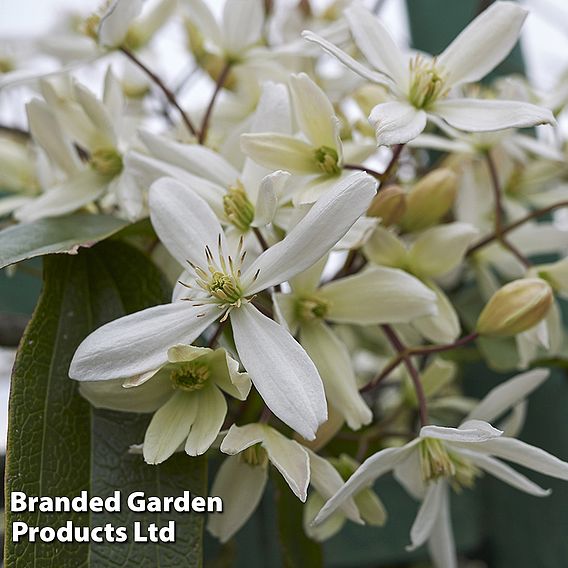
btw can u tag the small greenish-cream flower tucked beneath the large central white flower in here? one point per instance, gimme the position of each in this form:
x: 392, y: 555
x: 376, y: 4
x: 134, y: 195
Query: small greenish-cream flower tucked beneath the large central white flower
x: 186, y: 394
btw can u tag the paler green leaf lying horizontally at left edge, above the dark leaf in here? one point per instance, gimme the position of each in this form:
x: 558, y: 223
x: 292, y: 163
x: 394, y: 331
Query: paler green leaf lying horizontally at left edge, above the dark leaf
x: 55, y: 235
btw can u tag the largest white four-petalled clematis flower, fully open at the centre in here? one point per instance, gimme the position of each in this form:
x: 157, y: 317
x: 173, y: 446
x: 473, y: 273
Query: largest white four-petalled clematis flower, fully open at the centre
x: 281, y: 371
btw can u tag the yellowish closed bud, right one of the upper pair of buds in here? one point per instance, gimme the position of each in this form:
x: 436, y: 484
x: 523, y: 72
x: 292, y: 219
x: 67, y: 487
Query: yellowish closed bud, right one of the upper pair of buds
x: 430, y: 199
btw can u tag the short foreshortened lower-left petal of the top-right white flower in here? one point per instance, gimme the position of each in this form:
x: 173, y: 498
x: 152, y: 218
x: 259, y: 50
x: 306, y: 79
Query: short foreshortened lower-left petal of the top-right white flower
x: 396, y: 123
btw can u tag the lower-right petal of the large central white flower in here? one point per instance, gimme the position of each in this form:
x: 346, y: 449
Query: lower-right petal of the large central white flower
x: 281, y: 371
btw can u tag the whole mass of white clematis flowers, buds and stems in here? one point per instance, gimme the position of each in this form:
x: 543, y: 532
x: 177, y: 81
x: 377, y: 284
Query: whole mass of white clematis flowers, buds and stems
x: 328, y: 278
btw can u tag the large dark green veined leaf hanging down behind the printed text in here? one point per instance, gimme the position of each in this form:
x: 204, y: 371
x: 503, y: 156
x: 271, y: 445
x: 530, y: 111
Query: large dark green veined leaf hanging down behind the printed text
x: 59, y: 446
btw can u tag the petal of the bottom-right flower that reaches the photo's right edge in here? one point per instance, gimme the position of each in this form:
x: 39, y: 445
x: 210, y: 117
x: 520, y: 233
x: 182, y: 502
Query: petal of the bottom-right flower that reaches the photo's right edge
x: 526, y: 455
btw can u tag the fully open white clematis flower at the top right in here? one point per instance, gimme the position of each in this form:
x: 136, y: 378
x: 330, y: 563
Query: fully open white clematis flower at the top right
x: 421, y: 86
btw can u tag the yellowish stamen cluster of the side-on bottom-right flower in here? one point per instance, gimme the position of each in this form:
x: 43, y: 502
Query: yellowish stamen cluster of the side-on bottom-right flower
x: 436, y: 462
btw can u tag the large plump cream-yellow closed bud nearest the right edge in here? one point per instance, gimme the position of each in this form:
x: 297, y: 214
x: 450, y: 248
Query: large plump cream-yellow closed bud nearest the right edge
x: 516, y: 307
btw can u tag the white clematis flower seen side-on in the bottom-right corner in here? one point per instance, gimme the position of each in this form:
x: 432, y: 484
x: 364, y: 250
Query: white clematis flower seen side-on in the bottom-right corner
x: 442, y: 457
